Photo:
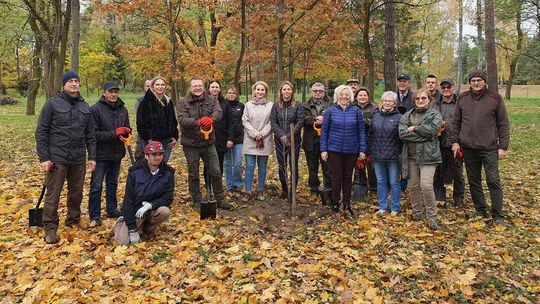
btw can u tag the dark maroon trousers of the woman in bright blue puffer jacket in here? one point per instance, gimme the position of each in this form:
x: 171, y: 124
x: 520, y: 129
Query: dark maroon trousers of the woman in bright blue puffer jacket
x: 342, y: 168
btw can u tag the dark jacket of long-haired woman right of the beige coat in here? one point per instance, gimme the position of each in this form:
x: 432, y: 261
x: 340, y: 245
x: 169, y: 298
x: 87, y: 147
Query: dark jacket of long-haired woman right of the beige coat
x: 281, y: 118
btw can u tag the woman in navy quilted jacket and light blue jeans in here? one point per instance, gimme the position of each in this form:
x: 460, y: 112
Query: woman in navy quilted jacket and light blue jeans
x: 385, y: 149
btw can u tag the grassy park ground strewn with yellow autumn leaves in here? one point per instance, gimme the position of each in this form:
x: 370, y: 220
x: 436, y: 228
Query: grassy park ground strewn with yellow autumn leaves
x: 257, y: 254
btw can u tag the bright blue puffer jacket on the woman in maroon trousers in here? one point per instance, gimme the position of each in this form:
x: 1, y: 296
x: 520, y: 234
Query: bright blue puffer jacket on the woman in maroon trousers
x: 343, y: 130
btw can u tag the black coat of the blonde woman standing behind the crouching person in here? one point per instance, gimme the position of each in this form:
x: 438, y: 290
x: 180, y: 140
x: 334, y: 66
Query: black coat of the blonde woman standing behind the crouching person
x: 155, y: 120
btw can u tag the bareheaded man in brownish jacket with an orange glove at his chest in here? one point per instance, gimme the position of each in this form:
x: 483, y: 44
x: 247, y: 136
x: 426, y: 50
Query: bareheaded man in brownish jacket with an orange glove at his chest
x: 199, y: 111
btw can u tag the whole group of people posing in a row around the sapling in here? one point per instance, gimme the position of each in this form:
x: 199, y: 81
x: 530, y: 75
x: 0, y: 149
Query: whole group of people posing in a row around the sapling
x: 413, y: 140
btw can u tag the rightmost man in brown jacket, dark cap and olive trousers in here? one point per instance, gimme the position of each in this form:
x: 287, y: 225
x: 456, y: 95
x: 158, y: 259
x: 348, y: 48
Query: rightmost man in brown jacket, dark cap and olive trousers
x: 482, y: 132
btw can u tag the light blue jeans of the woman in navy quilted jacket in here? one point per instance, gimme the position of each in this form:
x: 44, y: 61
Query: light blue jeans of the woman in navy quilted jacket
x: 388, y: 174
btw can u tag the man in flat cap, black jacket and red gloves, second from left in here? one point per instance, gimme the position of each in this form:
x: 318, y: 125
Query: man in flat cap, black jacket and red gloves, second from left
x: 111, y: 121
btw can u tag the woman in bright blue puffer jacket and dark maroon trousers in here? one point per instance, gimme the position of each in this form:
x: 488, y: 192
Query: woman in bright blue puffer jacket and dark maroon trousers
x: 343, y: 138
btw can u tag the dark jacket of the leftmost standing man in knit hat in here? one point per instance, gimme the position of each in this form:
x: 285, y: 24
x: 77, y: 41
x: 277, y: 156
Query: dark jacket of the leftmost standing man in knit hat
x: 65, y: 131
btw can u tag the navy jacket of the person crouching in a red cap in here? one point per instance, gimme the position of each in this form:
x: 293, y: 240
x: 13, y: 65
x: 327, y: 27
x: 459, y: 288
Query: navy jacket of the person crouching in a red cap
x: 142, y: 186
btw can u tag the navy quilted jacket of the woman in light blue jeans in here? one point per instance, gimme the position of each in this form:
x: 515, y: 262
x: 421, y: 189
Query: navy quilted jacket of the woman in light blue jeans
x: 383, y: 136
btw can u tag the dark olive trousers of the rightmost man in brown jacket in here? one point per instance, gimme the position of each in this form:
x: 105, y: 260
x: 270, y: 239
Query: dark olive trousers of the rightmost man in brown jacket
x: 489, y: 159
